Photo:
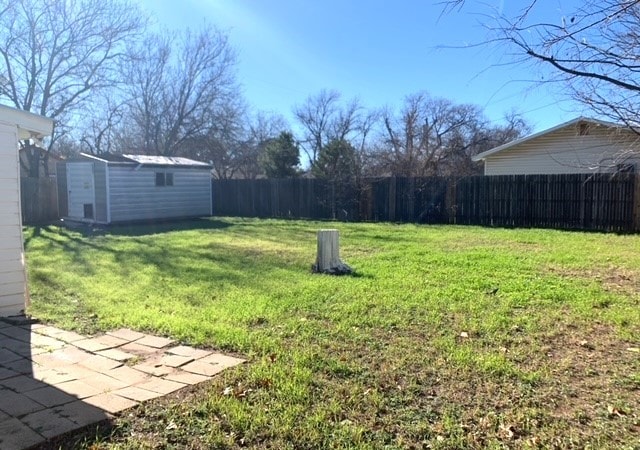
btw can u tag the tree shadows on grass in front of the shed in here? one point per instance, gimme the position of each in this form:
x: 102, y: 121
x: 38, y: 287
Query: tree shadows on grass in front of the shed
x: 189, y: 260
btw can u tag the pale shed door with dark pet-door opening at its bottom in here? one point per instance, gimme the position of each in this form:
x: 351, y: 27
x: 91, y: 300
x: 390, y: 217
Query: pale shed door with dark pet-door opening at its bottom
x: 81, y: 190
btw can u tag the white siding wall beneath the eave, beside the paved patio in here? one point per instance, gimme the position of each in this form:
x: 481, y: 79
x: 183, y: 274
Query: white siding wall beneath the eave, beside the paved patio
x: 12, y: 276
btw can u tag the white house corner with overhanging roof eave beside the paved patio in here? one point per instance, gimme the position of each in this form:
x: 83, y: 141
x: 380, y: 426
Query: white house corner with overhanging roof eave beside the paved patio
x: 14, y: 125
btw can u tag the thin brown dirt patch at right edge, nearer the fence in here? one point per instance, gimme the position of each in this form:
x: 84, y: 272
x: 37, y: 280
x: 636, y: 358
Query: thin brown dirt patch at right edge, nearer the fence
x: 612, y: 278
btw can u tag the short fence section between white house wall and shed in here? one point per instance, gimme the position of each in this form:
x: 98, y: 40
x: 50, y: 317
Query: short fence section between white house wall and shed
x: 39, y: 200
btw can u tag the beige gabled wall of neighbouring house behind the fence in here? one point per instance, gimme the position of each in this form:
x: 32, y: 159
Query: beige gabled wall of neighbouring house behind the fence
x: 565, y: 151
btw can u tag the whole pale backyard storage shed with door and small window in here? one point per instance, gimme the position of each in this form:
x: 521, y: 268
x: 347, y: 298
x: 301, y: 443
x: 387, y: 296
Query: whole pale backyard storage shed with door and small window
x: 114, y: 188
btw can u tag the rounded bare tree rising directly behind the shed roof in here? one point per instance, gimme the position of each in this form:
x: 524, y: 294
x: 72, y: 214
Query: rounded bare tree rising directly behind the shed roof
x: 181, y: 87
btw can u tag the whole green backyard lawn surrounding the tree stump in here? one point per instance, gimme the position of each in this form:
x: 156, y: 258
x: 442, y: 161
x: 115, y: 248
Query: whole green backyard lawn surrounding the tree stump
x: 415, y: 351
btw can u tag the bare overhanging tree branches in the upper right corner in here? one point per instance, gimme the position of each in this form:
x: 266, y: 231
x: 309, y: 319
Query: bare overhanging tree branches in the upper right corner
x: 592, y: 50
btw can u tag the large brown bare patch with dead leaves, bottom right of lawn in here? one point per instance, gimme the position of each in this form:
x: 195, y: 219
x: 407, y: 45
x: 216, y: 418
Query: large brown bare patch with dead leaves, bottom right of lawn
x: 588, y: 393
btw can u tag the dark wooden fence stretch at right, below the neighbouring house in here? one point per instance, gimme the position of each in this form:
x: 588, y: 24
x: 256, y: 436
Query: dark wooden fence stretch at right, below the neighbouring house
x: 584, y: 201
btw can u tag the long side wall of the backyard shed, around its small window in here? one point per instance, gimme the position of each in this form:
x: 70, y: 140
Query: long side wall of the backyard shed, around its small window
x: 134, y: 195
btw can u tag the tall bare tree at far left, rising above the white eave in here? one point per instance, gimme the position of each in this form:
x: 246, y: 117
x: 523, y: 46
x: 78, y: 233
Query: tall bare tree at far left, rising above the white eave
x: 55, y: 54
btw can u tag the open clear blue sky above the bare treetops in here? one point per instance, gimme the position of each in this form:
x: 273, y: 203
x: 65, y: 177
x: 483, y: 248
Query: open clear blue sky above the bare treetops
x: 376, y: 50
